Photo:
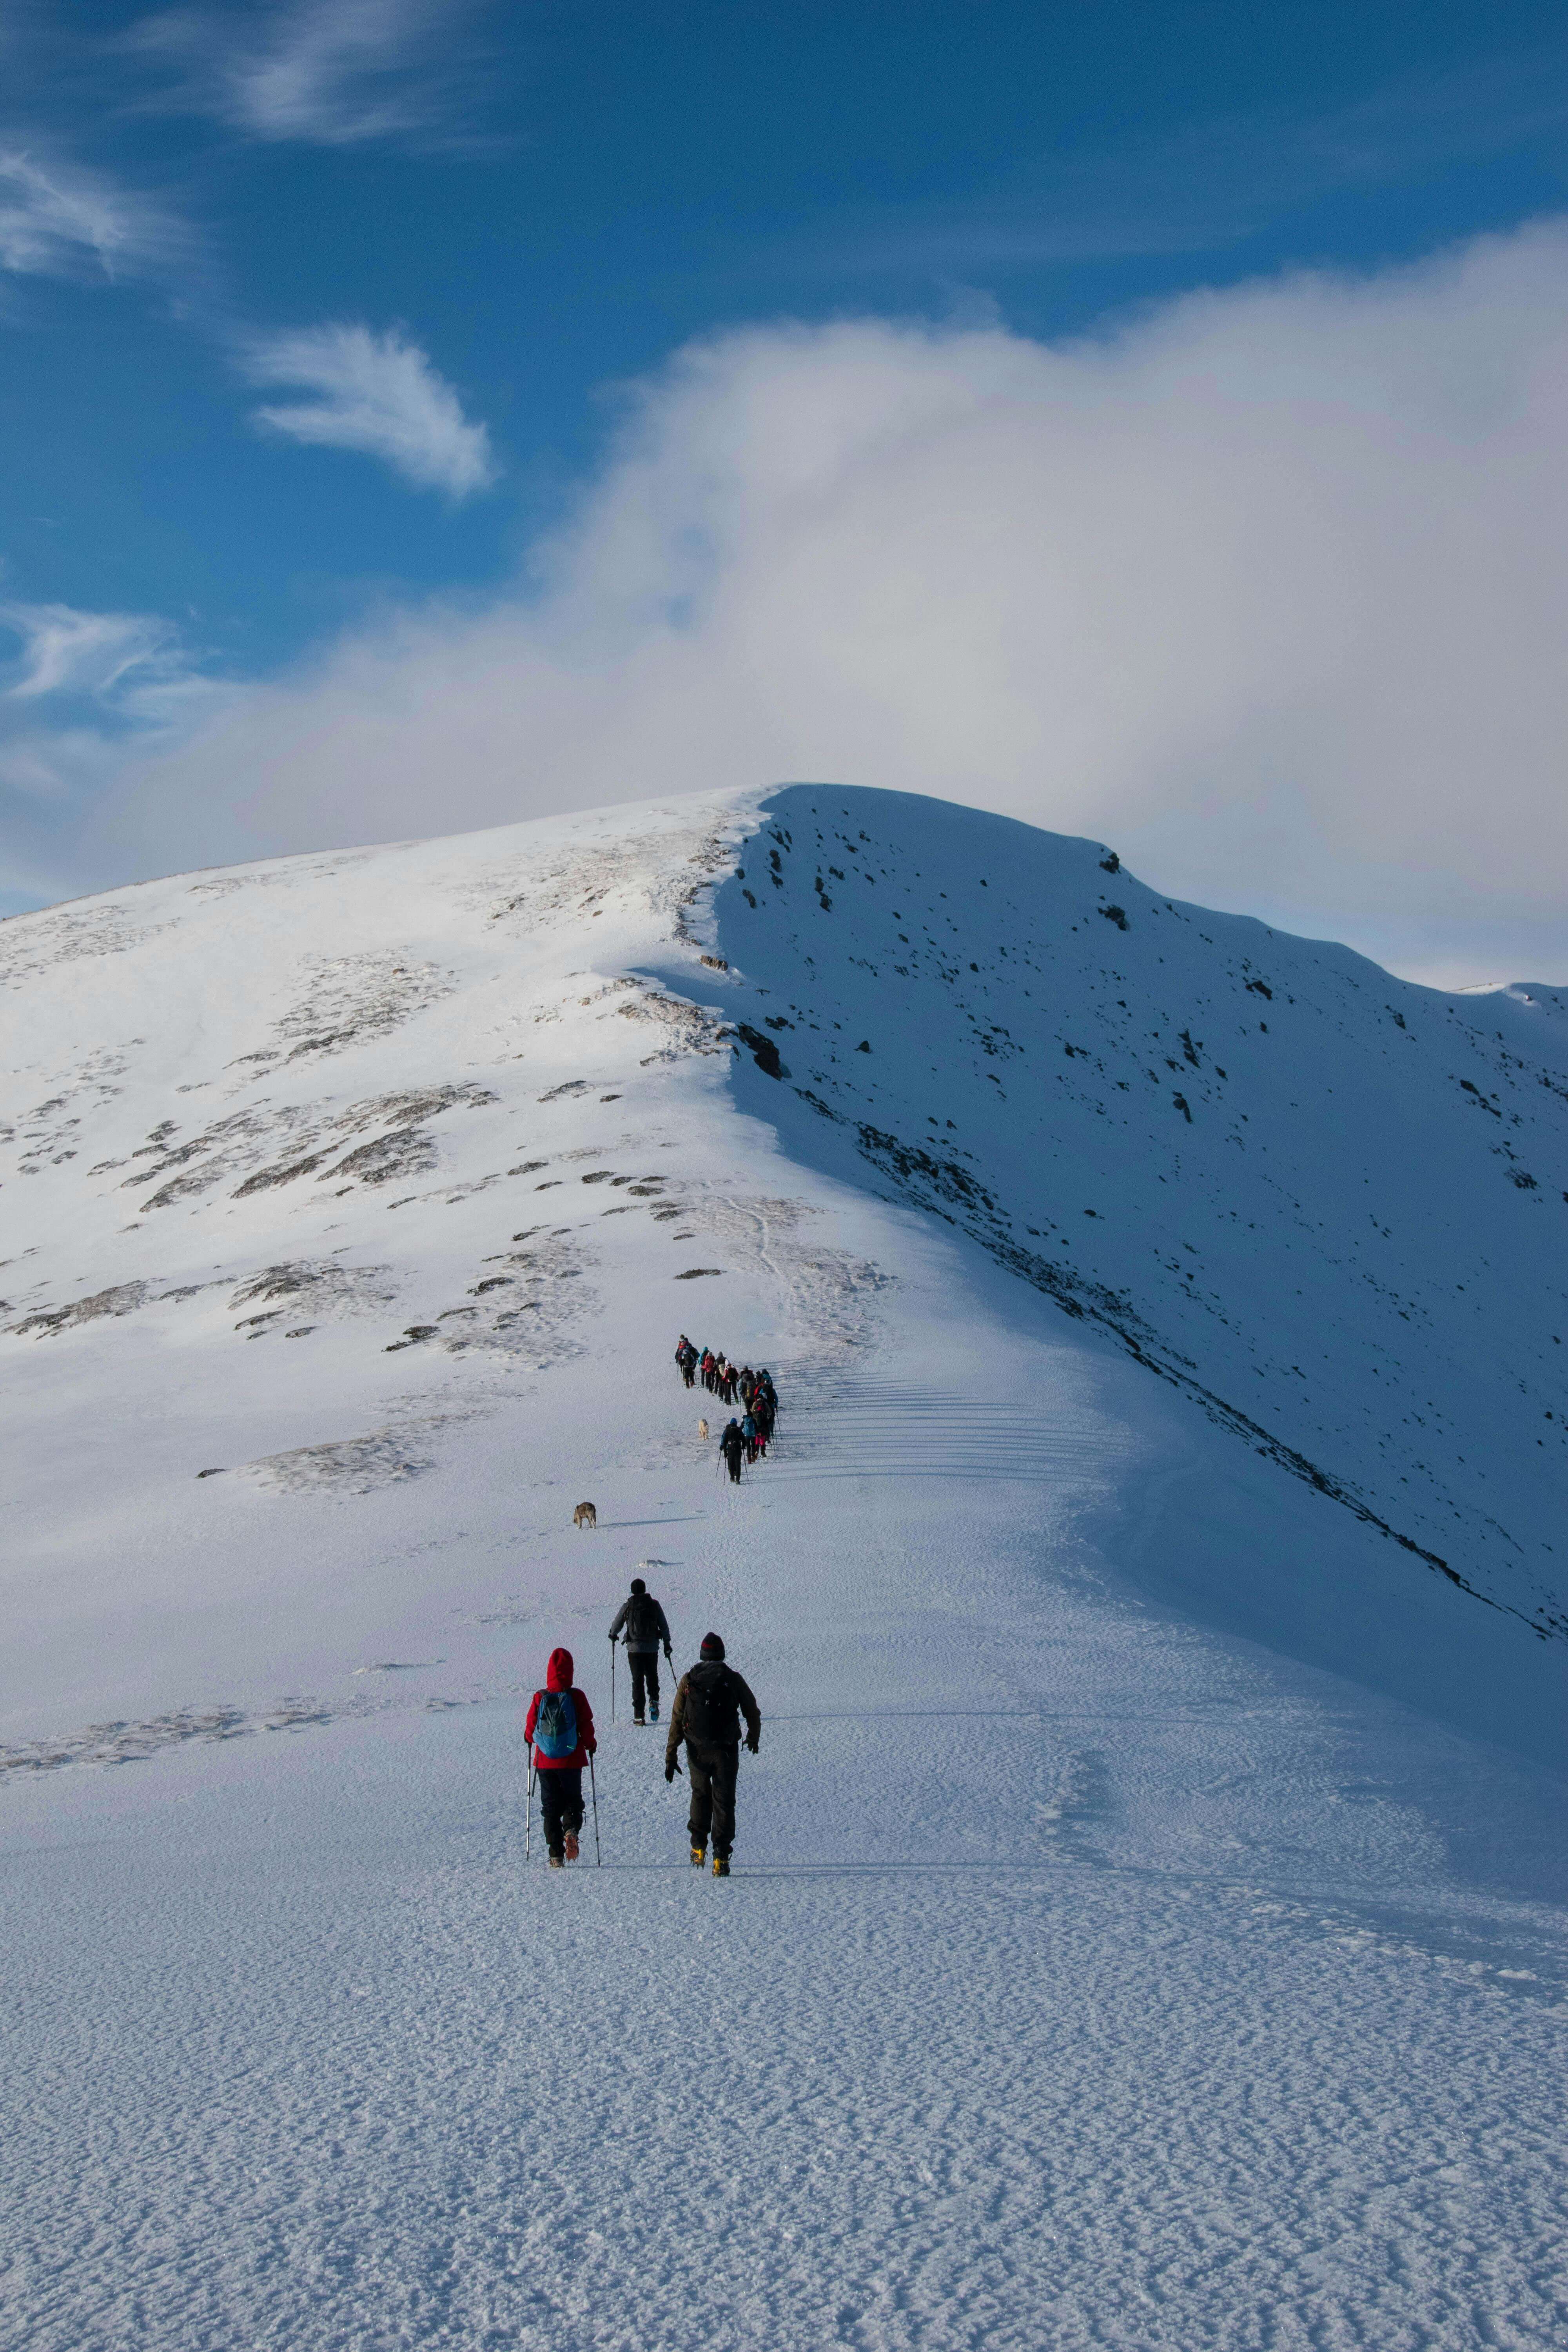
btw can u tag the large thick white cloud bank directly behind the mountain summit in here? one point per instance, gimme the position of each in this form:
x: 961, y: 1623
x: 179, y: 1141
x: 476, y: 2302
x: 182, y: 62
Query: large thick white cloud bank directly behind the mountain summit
x: 1266, y: 587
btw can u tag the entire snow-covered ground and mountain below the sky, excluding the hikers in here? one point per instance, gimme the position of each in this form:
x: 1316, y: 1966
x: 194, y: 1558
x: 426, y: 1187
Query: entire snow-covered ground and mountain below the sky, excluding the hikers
x: 1146, y: 1920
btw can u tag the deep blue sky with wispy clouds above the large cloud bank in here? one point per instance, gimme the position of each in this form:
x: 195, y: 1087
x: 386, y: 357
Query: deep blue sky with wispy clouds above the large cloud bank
x: 316, y: 314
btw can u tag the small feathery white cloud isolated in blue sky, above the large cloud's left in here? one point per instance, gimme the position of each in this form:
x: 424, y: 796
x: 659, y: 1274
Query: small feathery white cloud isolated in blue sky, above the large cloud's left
x: 375, y: 394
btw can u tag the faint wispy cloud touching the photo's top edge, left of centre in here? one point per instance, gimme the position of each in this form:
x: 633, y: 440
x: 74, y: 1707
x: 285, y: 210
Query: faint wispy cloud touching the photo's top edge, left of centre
x: 323, y: 72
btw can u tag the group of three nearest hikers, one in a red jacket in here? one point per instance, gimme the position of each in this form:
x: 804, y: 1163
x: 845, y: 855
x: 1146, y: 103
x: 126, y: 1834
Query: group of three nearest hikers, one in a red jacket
x: 711, y: 1706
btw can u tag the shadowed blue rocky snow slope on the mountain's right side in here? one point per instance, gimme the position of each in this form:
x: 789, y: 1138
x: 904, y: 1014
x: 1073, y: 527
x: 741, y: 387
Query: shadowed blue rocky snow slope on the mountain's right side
x: 1325, y: 1205
